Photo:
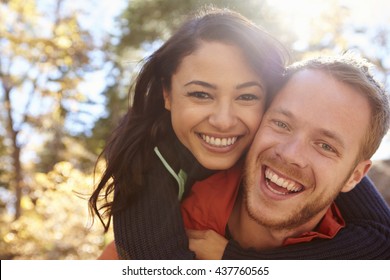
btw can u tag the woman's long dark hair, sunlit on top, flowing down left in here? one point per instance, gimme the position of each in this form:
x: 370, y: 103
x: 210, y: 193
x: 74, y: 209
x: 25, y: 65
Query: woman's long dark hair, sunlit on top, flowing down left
x: 129, y: 151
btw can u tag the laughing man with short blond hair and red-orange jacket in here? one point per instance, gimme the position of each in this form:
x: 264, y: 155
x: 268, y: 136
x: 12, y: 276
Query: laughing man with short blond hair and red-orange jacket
x: 315, y: 142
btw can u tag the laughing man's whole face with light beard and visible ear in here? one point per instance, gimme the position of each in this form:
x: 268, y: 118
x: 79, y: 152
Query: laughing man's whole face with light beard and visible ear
x: 305, y: 151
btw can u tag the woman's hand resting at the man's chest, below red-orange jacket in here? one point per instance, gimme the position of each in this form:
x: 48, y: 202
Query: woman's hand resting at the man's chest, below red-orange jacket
x: 207, y: 244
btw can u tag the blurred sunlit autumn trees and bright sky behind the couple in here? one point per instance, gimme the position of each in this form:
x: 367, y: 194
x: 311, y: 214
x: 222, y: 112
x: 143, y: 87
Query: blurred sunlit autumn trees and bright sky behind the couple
x: 64, y: 85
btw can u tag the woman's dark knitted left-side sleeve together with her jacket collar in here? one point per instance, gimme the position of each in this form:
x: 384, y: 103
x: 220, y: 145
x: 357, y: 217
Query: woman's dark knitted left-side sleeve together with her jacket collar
x: 152, y: 227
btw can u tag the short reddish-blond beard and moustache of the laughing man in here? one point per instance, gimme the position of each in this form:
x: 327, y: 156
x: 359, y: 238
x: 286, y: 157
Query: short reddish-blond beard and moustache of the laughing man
x: 298, y: 216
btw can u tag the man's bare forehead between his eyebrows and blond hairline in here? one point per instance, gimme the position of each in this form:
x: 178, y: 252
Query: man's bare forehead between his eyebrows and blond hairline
x: 315, y: 98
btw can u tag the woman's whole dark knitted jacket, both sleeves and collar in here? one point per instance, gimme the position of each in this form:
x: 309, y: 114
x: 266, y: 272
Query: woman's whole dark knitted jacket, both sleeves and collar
x: 152, y: 227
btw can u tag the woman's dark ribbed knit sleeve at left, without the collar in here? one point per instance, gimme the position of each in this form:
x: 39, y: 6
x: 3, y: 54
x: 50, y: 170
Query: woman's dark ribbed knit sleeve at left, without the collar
x: 152, y: 227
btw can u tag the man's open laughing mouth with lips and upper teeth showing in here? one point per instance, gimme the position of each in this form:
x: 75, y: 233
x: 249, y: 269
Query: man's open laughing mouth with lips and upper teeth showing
x: 280, y: 184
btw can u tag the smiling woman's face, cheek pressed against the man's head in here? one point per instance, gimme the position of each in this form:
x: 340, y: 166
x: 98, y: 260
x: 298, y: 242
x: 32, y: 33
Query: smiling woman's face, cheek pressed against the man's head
x: 216, y: 102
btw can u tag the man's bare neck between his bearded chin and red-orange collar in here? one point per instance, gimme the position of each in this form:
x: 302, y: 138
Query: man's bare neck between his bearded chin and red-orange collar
x: 250, y: 234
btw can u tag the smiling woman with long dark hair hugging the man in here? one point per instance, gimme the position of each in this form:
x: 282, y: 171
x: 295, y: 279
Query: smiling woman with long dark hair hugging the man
x: 198, y: 101
